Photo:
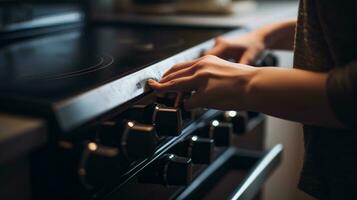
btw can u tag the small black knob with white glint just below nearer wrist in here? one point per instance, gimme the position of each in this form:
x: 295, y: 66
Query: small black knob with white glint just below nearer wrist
x: 239, y: 121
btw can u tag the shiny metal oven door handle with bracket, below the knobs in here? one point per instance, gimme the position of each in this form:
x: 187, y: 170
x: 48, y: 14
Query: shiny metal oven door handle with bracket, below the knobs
x: 261, y: 165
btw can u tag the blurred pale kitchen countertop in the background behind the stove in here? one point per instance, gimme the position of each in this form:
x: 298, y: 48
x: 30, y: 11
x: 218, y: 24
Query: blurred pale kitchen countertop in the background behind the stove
x: 262, y: 13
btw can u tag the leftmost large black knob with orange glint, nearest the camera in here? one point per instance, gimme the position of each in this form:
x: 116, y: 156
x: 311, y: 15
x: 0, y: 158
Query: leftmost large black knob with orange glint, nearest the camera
x: 98, y: 164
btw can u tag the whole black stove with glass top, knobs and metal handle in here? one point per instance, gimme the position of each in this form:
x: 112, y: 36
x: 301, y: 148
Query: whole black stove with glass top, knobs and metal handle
x: 109, y: 135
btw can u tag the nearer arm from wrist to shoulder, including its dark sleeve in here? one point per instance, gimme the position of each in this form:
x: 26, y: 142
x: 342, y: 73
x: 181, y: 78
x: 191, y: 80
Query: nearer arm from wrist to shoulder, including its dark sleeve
x: 323, y: 99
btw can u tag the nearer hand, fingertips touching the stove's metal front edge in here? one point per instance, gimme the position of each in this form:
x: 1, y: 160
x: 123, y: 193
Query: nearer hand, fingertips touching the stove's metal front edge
x: 217, y: 83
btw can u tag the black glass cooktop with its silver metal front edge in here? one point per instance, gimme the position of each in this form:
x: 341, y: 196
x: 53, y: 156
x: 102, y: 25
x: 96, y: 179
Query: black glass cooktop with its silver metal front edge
x: 77, y: 75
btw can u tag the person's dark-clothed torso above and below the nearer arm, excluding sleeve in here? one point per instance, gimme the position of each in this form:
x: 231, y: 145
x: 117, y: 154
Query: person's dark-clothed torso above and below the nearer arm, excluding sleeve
x: 326, y: 38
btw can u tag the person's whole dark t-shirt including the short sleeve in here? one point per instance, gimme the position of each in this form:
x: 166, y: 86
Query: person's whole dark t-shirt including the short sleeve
x: 326, y: 41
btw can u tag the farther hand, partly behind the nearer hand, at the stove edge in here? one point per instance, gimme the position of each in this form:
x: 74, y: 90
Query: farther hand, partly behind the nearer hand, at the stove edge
x: 245, y: 49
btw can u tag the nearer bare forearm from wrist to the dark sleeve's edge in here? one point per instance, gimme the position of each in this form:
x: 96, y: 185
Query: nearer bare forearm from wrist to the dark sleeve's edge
x: 291, y: 94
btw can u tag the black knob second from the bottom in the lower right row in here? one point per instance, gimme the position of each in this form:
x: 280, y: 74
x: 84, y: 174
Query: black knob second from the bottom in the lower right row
x: 200, y: 150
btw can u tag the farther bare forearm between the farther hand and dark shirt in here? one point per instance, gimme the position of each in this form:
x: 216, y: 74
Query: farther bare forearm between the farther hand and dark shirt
x: 278, y: 35
